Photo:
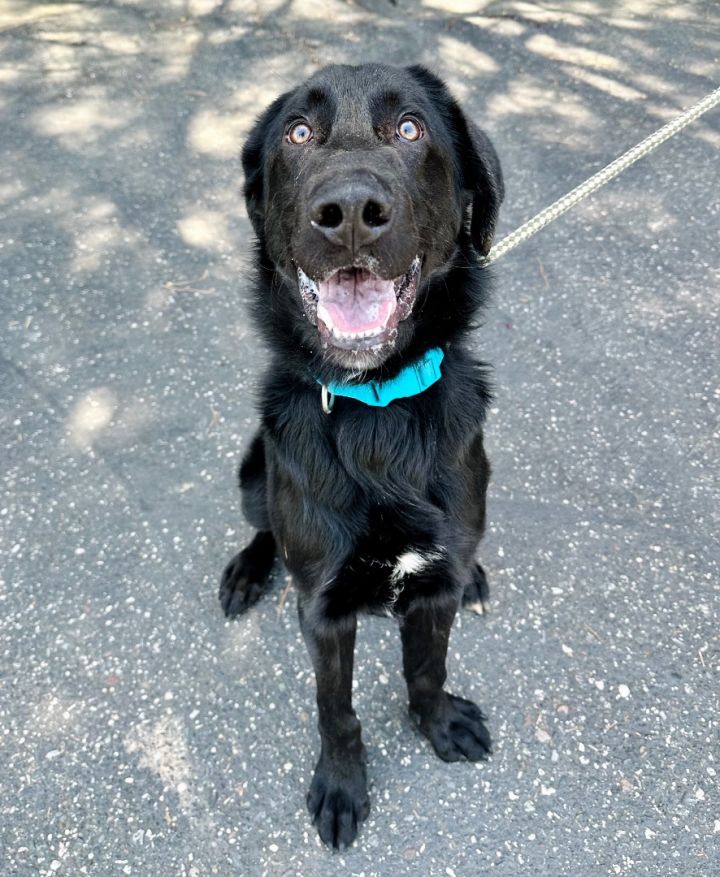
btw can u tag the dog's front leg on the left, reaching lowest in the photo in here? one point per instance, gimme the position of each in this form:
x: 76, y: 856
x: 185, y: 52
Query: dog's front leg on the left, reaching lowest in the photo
x: 337, y: 799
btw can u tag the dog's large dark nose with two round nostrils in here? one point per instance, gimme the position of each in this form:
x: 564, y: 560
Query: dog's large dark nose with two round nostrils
x: 353, y: 214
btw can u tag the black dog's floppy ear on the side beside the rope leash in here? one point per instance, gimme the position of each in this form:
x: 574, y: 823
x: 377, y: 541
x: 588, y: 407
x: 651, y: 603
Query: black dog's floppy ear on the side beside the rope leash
x: 477, y: 162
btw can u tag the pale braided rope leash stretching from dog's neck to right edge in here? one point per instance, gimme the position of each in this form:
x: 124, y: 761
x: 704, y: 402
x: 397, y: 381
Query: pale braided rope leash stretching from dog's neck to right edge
x: 599, y: 179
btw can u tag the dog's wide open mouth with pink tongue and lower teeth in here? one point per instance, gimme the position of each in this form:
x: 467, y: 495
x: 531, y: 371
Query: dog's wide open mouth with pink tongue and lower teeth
x: 355, y: 309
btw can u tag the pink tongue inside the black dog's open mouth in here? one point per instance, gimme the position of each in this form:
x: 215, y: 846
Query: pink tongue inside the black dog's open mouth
x: 355, y: 301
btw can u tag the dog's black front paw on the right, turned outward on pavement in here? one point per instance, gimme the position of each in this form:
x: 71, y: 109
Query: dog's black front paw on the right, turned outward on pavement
x: 456, y: 728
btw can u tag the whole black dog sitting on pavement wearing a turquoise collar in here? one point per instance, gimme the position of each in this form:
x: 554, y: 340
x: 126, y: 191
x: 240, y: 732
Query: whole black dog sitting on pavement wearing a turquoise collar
x: 371, y: 196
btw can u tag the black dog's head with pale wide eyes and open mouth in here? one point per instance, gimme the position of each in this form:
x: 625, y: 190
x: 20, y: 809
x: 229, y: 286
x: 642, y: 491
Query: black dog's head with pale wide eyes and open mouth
x: 365, y: 186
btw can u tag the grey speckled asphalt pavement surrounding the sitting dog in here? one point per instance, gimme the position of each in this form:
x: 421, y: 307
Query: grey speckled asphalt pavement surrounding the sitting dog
x: 141, y: 733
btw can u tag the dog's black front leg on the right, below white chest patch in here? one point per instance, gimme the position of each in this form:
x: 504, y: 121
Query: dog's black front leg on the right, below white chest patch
x: 454, y: 726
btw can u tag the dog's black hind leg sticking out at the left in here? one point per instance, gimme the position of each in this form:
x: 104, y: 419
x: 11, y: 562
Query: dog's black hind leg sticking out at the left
x: 245, y: 578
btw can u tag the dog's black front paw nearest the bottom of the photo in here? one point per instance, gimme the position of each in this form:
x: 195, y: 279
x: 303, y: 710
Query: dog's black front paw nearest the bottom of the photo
x: 338, y: 801
